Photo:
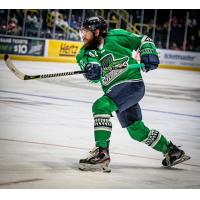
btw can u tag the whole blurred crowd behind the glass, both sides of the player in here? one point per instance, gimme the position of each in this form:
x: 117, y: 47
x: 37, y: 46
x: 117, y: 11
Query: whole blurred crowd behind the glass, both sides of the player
x: 61, y: 24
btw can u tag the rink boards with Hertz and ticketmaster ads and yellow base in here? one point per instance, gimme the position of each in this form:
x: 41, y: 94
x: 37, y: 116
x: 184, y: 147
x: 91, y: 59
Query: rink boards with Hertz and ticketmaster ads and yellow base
x: 49, y: 50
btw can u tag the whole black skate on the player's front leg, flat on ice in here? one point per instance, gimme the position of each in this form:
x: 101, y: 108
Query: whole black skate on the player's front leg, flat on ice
x: 98, y: 159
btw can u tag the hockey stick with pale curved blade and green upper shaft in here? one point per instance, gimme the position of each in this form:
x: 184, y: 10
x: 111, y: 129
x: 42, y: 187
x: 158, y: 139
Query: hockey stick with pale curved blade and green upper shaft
x: 23, y: 76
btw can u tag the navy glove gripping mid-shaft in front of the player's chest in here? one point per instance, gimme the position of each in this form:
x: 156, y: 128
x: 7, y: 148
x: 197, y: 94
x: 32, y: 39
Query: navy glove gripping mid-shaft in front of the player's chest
x: 93, y: 71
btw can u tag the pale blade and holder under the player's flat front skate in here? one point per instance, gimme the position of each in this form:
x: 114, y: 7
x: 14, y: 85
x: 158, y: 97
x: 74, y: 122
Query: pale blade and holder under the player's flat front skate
x: 98, y: 167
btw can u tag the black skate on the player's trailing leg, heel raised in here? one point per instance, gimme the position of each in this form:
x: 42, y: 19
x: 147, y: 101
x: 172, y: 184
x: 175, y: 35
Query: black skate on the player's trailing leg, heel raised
x: 174, y: 156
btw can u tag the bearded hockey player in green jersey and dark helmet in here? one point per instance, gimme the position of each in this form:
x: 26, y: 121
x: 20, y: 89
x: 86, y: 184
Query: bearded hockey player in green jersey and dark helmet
x: 106, y: 57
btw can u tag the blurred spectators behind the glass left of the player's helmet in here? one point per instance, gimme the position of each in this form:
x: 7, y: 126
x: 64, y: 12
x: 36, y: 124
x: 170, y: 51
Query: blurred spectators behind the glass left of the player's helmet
x: 39, y: 23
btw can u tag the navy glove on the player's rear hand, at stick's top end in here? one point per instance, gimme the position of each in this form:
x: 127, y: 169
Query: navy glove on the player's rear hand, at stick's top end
x: 150, y: 61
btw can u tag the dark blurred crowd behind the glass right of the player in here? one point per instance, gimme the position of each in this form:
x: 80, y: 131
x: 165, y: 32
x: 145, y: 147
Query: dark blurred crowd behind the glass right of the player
x: 177, y: 27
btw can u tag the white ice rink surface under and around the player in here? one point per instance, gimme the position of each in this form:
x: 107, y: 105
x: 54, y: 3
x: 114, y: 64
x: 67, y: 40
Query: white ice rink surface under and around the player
x: 46, y: 126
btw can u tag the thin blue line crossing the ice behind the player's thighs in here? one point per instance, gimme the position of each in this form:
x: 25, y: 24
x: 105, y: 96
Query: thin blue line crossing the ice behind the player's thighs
x: 89, y: 102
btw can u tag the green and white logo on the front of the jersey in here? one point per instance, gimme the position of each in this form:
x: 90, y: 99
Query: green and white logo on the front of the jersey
x: 112, y: 67
